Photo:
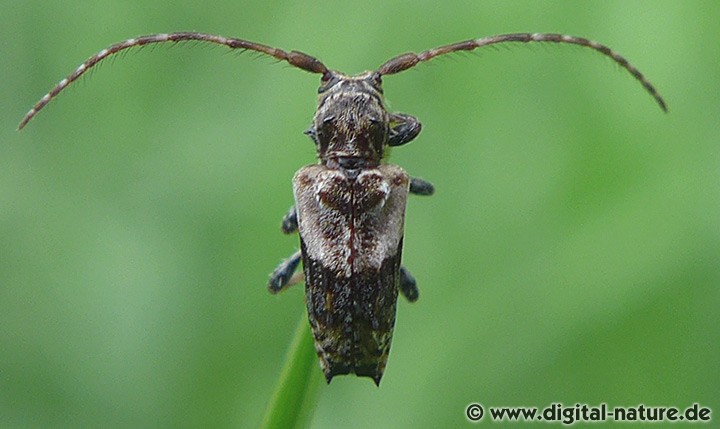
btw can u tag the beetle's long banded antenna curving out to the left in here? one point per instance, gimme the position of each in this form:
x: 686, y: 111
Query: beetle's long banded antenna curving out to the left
x: 294, y: 58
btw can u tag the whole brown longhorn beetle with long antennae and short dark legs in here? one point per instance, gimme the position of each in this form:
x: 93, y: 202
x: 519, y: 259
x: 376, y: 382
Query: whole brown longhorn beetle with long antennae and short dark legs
x: 350, y: 207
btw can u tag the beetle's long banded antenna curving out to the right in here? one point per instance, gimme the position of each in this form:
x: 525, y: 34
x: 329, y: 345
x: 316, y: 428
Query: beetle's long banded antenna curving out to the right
x: 409, y: 60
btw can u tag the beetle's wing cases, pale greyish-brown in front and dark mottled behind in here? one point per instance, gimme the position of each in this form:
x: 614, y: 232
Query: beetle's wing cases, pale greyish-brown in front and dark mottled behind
x: 351, y: 241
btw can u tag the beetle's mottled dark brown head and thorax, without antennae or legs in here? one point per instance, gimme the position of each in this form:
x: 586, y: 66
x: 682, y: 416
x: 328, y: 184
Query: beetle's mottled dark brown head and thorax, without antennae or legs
x: 351, y: 125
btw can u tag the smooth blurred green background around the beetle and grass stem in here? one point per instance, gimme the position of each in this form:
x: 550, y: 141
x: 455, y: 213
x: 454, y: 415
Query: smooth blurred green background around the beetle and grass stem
x: 571, y: 253
